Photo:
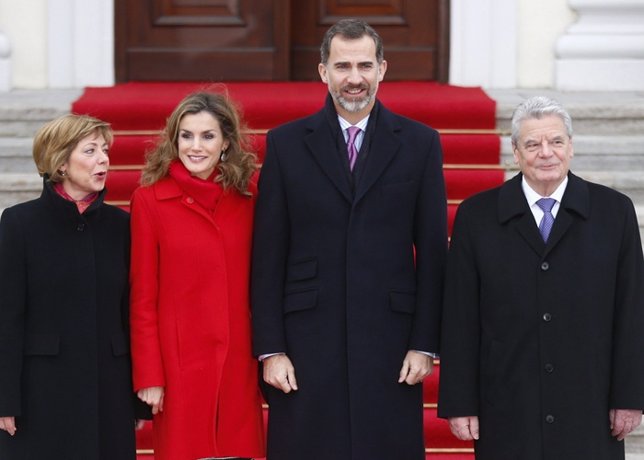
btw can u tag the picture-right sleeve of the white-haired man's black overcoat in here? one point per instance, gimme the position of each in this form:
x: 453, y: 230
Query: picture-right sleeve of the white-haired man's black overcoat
x: 627, y: 379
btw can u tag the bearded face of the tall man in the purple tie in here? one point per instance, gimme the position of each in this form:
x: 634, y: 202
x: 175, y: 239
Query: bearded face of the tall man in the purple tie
x: 352, y: 74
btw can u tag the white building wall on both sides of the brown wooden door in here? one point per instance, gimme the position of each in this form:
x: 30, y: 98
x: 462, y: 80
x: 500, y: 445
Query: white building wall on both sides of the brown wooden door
x: 560, y: 44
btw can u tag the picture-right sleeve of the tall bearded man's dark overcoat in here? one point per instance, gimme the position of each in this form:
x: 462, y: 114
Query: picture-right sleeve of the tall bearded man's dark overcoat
x: 430, y: 242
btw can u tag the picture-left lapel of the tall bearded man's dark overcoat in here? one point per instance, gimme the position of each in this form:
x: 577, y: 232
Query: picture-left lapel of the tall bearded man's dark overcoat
x: 321, y: 142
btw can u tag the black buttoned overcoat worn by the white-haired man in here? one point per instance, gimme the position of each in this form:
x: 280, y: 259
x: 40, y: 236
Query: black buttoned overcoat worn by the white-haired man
x: 542, y: 340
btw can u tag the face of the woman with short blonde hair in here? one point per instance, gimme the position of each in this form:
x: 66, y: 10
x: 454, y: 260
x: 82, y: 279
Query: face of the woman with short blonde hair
x: 85, y: 170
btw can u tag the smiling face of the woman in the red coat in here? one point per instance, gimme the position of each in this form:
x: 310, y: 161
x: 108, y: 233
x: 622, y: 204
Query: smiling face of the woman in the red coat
x: 200, y: 143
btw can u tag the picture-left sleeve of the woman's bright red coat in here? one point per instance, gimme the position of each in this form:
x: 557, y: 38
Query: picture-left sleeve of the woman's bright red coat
x: 147, y: 365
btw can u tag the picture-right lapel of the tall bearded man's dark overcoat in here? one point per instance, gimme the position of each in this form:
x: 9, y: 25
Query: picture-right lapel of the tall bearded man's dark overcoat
x: 385, y: 144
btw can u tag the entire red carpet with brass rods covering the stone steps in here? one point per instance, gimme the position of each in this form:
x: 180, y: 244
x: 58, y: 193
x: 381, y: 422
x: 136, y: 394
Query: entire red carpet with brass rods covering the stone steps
x: 464, y: 116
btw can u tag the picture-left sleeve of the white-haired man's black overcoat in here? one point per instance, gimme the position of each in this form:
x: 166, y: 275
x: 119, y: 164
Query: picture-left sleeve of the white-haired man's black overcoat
x: 459, y: 370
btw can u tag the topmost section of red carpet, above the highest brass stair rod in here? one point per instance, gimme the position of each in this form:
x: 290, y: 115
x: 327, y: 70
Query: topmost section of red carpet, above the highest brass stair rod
x: 145, y: 106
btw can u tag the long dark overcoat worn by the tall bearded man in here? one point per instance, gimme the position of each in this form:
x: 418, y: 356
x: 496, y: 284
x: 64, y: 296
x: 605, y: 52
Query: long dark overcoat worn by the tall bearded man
x: 334, y: 284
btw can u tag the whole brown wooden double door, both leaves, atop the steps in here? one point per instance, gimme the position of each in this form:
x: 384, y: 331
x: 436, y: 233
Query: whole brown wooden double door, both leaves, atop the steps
x: 236, y: 40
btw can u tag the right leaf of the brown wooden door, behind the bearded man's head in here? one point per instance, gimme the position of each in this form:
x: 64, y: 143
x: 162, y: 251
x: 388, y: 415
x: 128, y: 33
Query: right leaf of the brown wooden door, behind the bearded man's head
x: 415, y: 35
